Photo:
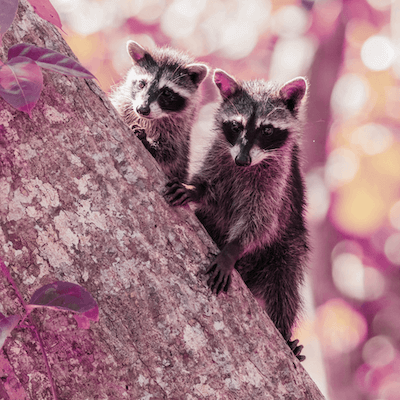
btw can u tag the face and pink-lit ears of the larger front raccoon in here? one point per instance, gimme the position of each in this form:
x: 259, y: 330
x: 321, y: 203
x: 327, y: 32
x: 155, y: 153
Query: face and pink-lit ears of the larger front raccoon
x: 257, y: 120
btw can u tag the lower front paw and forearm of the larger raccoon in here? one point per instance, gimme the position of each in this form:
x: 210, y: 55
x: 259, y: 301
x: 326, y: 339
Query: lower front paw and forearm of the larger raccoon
x: 220, y: 270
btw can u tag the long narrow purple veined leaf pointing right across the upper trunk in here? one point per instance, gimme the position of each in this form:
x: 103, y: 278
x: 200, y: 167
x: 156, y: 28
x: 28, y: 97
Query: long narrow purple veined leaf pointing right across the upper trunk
x: 50, y: 59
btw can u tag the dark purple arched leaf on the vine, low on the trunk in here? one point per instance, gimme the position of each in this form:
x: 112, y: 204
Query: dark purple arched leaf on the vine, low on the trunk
x: 64, y: 296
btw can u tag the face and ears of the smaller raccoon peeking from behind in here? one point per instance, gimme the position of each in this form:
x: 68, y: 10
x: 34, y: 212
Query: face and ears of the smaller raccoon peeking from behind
x: 161, y: 83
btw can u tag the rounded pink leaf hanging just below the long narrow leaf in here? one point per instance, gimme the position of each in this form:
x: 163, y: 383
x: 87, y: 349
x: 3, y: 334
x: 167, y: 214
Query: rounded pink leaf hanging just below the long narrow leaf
x: 21, y: 82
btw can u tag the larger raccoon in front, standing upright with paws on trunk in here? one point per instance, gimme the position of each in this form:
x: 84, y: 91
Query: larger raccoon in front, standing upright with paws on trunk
x: 250, y: 195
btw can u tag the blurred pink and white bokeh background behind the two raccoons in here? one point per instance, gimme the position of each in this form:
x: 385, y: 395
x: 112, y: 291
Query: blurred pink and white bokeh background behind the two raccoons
x: 349, y: 50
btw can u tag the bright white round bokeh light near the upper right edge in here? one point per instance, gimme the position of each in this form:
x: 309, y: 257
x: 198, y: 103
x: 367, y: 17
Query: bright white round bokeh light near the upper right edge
x: 378, y: 53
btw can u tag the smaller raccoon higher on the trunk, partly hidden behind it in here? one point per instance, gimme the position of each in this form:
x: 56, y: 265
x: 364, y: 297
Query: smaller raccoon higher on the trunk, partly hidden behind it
x: 160, y: 97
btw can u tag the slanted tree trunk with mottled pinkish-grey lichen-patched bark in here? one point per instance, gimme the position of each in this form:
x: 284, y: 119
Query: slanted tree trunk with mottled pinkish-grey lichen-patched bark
x: 80, y: 201
